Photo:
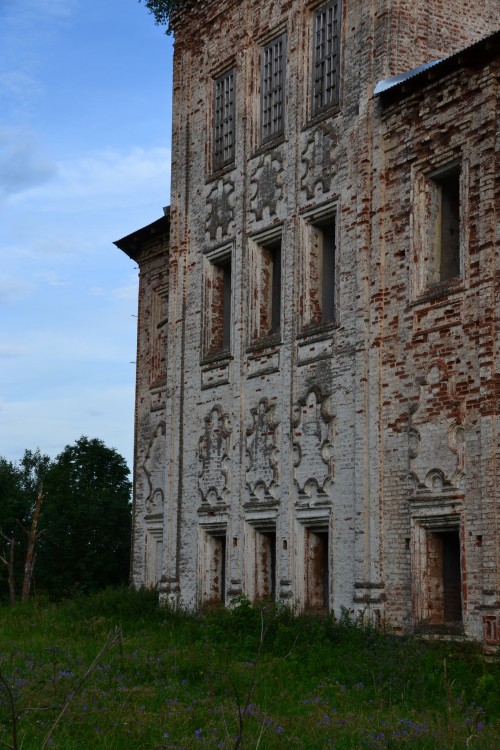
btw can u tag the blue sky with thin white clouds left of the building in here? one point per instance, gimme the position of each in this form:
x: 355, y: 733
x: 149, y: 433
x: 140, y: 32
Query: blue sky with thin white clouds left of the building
x: 85, y: 122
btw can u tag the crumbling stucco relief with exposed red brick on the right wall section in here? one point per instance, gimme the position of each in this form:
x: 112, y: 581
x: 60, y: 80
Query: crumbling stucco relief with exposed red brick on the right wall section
x: 436, y: 436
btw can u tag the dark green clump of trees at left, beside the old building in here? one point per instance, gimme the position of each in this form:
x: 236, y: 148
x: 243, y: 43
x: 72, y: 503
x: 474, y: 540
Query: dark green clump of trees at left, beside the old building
x: 85, y: 520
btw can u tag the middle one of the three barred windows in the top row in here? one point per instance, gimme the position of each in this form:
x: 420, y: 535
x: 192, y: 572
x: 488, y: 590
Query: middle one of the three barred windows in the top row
x: 273, y: 88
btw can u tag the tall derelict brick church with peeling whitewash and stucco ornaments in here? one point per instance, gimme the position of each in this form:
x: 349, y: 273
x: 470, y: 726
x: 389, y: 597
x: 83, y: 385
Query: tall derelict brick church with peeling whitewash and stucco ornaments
x: 318, y: 366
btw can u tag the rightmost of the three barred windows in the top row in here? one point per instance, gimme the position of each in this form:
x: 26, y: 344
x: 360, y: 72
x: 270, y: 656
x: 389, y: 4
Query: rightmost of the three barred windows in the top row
x: 326, y: 56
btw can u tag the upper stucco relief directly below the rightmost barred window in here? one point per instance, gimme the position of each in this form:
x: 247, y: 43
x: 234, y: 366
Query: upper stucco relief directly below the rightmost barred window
x: 318, y: 162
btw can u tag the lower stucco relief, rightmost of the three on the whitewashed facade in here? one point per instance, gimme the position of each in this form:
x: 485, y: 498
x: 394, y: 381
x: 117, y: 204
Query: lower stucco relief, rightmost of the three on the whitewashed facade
x: 313, y: 435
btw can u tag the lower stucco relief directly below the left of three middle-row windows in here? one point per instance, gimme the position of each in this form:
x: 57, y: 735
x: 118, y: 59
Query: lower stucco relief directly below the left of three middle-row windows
x: 213, y: 452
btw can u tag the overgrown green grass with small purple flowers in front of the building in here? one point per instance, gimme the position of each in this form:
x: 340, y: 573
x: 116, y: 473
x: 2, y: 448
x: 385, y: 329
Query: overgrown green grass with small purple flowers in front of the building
x: 179, y: 681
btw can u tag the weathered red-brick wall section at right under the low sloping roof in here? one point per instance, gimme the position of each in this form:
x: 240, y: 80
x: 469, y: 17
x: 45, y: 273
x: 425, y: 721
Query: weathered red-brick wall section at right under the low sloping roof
x: 439, y: 349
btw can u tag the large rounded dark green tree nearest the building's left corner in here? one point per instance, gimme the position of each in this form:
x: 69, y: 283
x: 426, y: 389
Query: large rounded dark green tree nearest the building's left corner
x: 86, y: 519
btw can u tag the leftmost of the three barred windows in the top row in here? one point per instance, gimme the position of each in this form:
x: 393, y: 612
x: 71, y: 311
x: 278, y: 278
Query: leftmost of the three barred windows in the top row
x: 224, y: 121
